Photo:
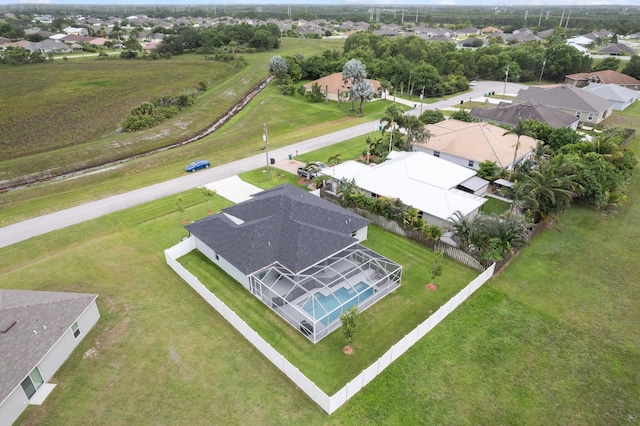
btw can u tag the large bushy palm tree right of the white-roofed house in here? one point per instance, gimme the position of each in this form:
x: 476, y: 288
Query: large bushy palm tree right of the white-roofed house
x: 551, y: 187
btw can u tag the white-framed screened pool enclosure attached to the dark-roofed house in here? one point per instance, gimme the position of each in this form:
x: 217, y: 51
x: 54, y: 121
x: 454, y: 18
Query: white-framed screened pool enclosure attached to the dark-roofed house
x: 313, y: 299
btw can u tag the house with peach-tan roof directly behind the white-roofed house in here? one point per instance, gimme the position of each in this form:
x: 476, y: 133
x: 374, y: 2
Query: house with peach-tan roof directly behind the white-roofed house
x: 469, y: 144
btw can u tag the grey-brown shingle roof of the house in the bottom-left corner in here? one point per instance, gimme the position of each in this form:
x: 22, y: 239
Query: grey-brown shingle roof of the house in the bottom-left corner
x: 42, y: 317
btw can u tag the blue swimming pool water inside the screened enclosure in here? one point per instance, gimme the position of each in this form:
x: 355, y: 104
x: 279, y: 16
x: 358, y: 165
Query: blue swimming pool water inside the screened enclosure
x: 327, y: 308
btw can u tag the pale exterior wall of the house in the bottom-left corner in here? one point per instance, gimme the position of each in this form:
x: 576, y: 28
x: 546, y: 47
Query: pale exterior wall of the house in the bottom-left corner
x: 17, y: 401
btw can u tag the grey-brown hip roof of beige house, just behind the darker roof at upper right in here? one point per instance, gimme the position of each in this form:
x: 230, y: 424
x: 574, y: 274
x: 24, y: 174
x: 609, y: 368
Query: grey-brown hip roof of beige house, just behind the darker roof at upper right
x: 566, y: 97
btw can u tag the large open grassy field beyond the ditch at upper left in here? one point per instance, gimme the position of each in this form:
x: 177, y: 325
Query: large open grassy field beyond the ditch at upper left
x: 64, y: 116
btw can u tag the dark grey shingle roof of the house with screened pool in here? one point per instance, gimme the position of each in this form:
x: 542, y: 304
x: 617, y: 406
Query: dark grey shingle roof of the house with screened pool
x: 284, y: 224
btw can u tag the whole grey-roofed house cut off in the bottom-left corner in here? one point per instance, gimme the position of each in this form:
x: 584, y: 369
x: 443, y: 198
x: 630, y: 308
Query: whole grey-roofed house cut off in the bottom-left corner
x: 38, y: 332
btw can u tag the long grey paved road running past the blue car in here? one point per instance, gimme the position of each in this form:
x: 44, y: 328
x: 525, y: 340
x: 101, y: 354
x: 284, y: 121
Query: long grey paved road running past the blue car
x: 21, y: 231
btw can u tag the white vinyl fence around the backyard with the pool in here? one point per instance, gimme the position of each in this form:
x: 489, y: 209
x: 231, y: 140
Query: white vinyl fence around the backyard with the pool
x: 327, y: 403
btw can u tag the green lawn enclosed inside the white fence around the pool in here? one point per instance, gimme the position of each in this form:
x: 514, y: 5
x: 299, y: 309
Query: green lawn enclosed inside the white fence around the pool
x: 381, y: 325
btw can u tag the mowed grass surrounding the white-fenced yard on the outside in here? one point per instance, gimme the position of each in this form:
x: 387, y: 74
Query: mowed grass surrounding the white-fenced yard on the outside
x: 553, y: 339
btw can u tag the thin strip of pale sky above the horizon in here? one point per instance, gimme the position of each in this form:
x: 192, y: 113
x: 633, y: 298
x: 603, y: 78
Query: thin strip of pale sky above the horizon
x: 421, y: 3
